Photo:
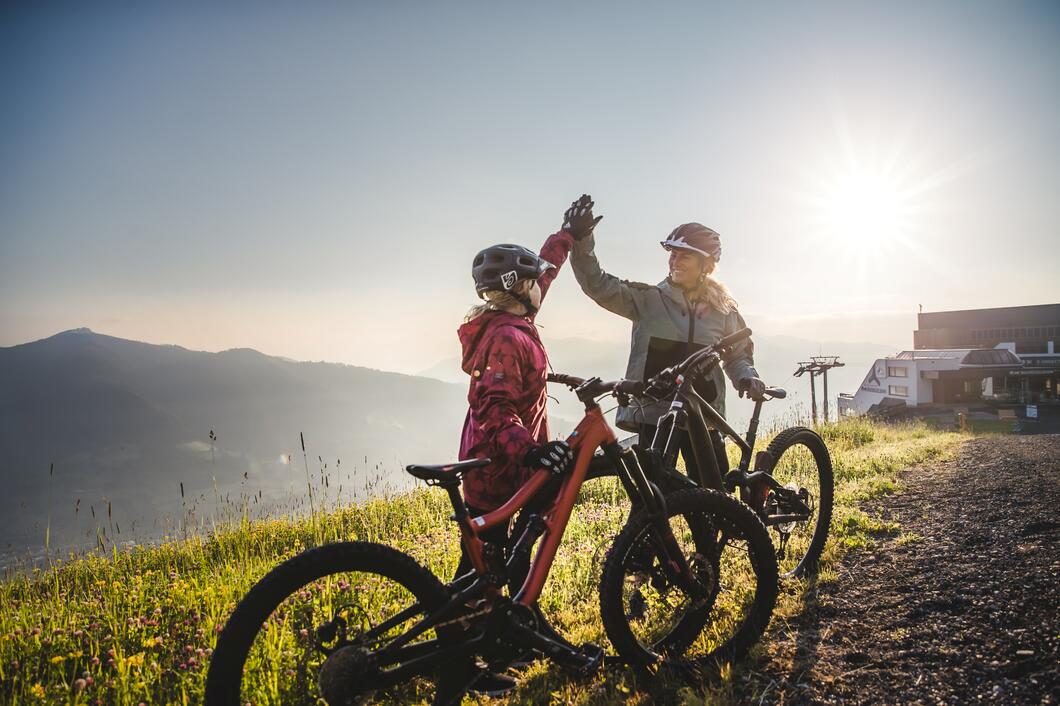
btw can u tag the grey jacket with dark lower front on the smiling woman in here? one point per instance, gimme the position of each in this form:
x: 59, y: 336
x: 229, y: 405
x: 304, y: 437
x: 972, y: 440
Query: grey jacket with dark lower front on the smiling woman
x: 662, y: 313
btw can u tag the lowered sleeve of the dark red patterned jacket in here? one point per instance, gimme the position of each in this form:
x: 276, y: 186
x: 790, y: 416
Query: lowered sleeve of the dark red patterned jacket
x: 499, y: 384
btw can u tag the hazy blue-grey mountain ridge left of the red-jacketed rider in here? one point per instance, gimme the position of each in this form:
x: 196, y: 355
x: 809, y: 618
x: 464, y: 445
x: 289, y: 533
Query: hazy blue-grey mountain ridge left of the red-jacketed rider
x: 129, y: 422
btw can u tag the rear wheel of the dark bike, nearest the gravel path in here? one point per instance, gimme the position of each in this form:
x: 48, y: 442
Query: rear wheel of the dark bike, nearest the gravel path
x: 802, y: 464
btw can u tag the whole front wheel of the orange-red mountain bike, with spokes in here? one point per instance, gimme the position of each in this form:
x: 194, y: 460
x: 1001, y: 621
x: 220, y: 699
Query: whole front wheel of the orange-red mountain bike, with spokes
x: 649, y: 619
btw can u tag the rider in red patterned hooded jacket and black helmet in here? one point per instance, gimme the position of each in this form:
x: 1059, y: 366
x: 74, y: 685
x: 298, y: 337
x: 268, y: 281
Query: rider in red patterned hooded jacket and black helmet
x: 507, y: 418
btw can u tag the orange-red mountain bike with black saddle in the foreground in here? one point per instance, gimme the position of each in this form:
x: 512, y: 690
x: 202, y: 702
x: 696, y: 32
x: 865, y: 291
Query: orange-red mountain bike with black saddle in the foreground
x: 692, y: 581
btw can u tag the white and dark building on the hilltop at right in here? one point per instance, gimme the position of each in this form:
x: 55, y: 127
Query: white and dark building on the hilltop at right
x: 990, y: 357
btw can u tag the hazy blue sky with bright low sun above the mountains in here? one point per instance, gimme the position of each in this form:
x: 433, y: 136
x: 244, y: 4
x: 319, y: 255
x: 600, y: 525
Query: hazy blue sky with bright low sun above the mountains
x: 313, y: 180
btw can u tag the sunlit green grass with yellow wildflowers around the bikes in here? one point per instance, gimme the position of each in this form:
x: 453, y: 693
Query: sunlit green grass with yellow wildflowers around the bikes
x: 138, y: 627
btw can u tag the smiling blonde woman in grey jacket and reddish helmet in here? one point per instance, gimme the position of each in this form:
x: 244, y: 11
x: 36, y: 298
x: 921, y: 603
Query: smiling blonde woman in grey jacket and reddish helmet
x: 684, y: 313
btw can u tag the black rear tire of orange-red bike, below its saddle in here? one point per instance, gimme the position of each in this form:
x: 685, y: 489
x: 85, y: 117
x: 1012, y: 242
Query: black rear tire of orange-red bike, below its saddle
x: 226, y: 674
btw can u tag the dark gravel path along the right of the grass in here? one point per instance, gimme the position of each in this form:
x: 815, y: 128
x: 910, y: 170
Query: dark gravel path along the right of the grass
x: 968, y: 612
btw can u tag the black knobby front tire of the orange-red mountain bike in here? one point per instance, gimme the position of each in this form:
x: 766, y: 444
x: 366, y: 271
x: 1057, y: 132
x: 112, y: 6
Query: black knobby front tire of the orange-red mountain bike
x: 723, y: 510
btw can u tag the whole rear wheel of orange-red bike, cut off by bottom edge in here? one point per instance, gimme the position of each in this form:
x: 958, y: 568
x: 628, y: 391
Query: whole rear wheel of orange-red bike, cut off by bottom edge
x: 273, y: 650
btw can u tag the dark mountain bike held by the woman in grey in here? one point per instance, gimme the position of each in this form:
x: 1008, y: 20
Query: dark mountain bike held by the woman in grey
x: 791, y: 487
